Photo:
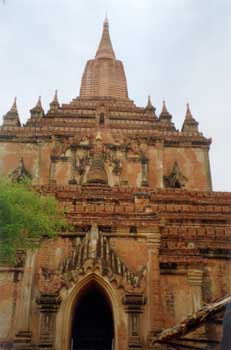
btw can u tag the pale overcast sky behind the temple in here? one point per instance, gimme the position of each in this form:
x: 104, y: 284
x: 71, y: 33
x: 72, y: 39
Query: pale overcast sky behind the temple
x: 179, y: 50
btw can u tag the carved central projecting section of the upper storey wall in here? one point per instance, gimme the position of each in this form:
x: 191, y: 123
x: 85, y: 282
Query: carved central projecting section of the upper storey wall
x: 94, y: 162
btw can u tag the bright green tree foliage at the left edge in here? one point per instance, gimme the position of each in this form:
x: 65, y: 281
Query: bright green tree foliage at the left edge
x: 25, y: 217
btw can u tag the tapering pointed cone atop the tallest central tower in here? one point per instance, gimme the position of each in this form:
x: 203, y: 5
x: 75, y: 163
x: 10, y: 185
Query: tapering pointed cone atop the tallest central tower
x: 105, y: 49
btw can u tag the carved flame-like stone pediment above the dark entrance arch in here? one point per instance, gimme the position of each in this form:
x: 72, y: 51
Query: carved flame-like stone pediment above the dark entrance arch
x: 91, y: 253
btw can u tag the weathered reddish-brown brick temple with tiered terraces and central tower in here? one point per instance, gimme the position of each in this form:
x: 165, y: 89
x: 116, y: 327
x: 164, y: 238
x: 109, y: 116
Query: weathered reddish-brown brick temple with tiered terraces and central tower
x: 151, y: 240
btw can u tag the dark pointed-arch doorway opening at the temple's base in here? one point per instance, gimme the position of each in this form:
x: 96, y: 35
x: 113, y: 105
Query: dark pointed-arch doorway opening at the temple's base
x: 93, y: 322
